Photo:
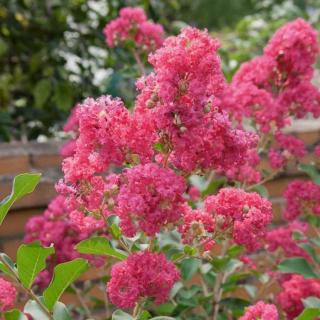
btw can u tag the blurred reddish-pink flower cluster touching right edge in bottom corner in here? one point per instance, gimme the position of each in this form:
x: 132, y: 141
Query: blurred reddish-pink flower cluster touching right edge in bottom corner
x: 293, y: 291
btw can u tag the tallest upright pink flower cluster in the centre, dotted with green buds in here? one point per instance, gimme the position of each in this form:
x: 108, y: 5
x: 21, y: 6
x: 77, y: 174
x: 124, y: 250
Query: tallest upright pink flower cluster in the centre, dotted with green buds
x: 182, y: 99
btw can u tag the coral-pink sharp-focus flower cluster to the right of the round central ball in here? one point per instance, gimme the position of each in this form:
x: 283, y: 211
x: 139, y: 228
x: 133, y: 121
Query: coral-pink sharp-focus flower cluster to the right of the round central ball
x: 246, y: 215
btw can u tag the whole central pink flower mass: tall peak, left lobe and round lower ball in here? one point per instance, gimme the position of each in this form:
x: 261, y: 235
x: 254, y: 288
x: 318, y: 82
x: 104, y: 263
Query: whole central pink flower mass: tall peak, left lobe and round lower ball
x: 176, y: 122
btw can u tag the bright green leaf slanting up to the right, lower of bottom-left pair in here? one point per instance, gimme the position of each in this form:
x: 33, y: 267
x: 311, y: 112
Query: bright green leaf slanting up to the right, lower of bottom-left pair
x: 64, y: 275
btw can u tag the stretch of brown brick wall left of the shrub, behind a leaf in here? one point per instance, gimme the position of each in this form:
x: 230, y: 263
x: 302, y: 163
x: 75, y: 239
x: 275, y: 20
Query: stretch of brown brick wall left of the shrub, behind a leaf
x: 18, y: 158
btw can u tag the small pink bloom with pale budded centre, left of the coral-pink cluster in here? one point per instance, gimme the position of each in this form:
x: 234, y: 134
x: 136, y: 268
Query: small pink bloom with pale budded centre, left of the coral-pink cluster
x: 197, y: 226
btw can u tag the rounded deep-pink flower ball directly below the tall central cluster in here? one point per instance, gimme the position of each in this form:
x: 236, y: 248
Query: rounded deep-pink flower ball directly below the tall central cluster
x: 149, y: 197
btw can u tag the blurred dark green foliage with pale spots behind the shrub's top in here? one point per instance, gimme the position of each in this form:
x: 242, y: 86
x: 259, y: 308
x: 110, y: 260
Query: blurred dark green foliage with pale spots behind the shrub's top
x: 53, y: 53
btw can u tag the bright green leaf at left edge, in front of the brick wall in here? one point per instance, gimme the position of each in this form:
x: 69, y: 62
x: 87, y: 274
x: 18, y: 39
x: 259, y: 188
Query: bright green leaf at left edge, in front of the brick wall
x: 22, y: 184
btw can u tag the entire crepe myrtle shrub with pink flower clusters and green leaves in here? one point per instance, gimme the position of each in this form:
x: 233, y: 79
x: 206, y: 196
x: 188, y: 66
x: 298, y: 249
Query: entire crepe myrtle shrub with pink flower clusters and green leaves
x: 166, y: 203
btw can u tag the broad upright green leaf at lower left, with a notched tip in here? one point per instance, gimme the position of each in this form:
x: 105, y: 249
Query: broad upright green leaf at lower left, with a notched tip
x: 31, y: 260
